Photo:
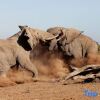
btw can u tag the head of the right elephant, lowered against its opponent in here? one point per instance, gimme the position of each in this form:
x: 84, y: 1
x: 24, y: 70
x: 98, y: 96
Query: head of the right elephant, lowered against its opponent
x: 65, y: 36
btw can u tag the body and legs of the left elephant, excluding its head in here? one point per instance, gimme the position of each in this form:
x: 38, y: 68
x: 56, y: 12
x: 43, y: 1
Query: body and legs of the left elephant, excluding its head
x: 11, y: 54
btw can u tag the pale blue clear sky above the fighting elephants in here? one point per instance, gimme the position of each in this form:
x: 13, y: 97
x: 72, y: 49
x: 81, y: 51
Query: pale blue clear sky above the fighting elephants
x: 81, y: 14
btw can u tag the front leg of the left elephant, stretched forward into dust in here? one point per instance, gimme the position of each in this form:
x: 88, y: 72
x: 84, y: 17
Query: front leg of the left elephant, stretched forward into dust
x: 26, y: 63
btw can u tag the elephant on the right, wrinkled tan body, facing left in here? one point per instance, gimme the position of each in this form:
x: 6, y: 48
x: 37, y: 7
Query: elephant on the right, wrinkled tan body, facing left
x: 72, y: 42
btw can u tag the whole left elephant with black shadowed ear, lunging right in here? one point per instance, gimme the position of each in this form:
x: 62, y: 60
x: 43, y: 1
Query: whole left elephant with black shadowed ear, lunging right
x: 14, y: 49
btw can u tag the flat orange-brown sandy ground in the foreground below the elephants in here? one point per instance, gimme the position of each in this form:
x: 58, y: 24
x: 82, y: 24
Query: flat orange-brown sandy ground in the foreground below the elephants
x: 48, y: 91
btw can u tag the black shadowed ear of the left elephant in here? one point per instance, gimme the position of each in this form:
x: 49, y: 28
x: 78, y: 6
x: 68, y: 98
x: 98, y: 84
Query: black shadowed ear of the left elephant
x: 23, y: 40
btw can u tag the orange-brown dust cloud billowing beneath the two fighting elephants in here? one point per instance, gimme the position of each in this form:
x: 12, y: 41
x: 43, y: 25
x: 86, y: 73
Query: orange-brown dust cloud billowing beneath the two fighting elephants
x: 51, y: 65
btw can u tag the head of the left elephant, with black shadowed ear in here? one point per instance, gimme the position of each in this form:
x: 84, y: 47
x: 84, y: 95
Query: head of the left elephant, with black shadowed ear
x: 30, y: 37
